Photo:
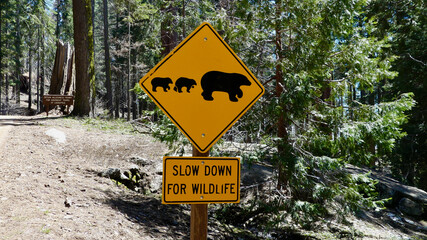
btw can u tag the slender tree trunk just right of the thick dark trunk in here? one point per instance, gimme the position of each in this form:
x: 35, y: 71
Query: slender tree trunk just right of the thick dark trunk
x: 107, y: 61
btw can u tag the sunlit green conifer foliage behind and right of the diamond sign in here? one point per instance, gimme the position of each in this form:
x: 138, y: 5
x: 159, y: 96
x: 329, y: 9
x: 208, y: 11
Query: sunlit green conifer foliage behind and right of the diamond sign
x: 328, y: 64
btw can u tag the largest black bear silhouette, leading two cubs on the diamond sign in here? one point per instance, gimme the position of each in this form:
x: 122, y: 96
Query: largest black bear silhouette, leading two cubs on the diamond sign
x: 223, y: 82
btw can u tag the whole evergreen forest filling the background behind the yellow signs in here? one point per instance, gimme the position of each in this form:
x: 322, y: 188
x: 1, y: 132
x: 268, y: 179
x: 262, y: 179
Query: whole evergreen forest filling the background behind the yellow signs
x: 345, y: 83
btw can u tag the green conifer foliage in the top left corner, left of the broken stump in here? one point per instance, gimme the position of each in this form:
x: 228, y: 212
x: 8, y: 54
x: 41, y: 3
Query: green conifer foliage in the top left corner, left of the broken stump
x: 20, y: 21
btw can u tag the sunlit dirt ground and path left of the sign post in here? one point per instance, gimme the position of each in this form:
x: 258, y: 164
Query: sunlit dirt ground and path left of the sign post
x: 50, y: 190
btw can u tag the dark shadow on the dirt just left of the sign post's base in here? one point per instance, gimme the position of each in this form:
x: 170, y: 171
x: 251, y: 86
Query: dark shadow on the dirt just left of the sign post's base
x: 162, y: 221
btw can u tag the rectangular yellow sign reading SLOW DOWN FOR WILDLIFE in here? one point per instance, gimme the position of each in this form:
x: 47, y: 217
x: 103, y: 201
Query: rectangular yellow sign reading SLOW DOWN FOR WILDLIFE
x: 201, y: 180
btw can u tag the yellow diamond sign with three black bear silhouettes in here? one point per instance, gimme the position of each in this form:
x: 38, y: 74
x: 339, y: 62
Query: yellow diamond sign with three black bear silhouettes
x: 202, y: 86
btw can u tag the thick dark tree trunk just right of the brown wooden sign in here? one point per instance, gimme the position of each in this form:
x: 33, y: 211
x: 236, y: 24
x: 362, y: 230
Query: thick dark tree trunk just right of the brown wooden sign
x: 83, y: 34
